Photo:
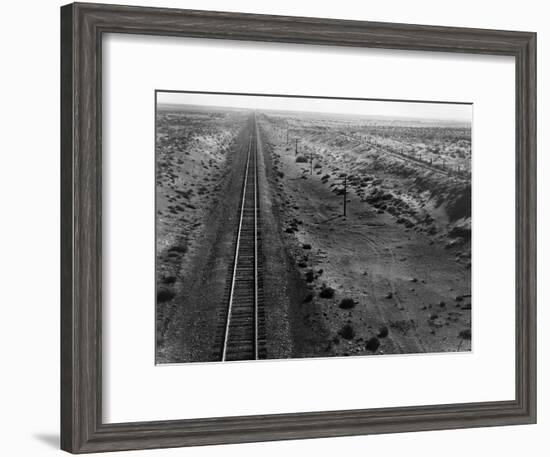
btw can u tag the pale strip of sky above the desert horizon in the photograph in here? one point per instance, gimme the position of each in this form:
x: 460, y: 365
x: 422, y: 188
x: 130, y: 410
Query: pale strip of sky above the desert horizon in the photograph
x: 416, y: 110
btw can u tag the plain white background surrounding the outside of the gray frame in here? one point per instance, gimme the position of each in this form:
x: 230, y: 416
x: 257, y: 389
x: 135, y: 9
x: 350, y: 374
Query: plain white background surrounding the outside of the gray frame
x: 29, y: 241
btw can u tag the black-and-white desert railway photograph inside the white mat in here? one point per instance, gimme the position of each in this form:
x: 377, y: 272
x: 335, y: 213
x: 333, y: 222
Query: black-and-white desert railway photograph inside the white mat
x: 300, y: 227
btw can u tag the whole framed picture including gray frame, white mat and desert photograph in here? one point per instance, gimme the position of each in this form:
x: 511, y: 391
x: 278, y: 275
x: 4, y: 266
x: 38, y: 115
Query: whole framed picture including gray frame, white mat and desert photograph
x: 283, y: 227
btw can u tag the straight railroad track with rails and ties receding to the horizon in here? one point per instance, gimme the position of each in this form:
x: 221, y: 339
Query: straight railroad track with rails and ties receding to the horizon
x: 241, y: 333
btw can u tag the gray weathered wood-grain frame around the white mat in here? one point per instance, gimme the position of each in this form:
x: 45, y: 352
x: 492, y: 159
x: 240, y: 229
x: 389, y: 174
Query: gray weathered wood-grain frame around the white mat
x: 82, y: 28
